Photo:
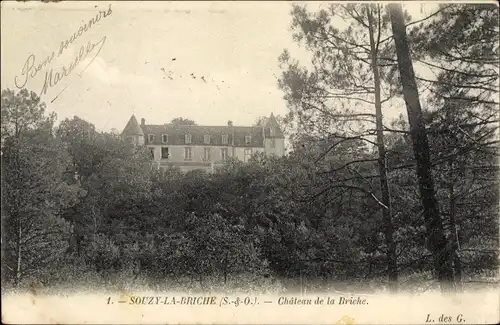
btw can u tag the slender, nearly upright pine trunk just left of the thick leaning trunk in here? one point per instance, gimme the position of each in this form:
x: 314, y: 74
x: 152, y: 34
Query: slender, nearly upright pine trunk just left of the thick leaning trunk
x: 392, y: 267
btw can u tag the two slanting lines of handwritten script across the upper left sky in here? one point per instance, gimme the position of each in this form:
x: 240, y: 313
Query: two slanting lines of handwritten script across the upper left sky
x: 32, y: 68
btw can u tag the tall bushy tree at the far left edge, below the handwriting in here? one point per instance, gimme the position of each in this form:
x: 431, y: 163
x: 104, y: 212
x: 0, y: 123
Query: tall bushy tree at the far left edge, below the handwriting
x: 33, y: 191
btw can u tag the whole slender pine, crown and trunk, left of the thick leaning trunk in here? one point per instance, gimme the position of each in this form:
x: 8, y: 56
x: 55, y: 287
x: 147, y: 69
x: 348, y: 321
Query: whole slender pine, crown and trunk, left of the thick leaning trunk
x: 331, y: 102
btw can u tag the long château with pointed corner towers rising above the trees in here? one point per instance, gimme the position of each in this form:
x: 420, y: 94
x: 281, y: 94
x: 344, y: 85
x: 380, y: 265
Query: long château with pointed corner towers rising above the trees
x: 204, y: 147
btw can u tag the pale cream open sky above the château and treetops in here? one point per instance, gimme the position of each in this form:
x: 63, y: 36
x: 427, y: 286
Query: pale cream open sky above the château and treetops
x: 207, y: 61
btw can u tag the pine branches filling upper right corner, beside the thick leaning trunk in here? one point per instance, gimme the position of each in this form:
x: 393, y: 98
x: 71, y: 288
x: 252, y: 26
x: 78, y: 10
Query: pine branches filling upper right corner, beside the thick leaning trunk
x: 463, y: 53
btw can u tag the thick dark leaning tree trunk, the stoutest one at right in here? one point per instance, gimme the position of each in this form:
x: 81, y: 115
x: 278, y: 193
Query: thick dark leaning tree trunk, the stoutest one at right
x: 436, y: 240
